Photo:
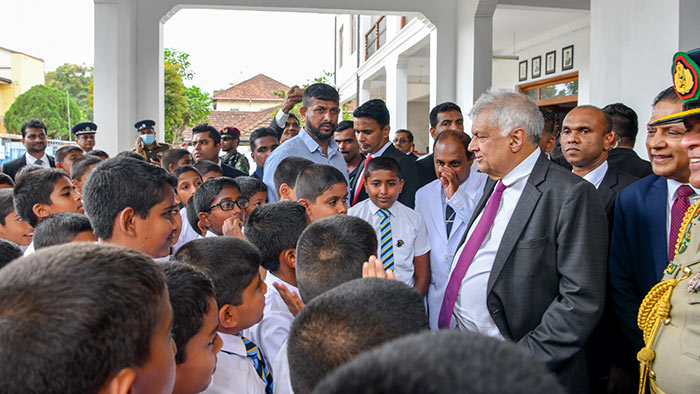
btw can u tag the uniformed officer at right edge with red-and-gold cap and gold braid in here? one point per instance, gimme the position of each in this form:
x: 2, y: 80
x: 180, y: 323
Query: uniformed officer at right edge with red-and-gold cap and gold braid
x: 670, y: 314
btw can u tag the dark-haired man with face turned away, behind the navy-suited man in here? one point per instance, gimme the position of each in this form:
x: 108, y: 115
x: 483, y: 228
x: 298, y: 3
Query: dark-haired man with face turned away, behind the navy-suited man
x: 625, y: 126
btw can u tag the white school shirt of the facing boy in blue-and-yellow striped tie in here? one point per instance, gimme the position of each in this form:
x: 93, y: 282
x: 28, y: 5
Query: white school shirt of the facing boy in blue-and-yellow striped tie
x: 409, y: 235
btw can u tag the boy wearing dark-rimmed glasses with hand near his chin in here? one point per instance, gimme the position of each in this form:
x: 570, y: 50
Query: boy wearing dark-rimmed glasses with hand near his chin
x: 220, y: 207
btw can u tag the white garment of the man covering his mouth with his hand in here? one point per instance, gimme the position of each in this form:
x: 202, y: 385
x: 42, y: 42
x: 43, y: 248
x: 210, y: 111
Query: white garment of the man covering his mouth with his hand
x: 442, y: 247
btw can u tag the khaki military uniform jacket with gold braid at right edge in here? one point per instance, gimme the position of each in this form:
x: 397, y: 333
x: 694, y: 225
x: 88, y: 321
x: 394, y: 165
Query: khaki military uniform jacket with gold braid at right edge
x: 675, y: 368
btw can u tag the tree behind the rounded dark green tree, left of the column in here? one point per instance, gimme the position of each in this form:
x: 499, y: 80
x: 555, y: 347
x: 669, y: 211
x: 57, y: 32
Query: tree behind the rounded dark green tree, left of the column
x: 77, y: 80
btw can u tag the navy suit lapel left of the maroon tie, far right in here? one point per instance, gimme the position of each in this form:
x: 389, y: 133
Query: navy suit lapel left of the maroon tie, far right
x: 658, y: 238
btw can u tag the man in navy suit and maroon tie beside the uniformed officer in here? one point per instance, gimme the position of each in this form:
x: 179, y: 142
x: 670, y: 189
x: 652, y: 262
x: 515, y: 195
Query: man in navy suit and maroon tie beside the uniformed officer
x: 642, y: 234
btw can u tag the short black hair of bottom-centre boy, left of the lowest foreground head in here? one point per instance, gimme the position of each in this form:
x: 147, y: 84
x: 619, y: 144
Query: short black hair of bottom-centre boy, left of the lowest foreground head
x: 365, y: 313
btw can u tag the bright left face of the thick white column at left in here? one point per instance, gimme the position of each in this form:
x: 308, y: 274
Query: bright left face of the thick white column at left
x: 114, y: 74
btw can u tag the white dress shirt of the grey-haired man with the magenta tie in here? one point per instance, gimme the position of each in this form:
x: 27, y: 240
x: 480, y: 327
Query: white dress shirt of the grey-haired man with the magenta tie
x: 471, y: 312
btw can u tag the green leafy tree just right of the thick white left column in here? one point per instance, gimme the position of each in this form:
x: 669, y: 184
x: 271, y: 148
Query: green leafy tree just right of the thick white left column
x: 184, y: 106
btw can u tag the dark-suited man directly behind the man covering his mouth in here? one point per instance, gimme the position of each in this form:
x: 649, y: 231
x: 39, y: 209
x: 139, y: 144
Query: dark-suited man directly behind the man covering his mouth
x: 445, y: 116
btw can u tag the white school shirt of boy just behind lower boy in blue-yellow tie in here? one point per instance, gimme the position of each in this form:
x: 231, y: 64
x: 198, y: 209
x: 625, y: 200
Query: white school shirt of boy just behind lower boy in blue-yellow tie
x: 273, y: 329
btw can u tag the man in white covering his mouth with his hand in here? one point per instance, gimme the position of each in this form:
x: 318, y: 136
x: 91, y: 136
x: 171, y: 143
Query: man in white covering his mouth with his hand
x: 458, y: 189
